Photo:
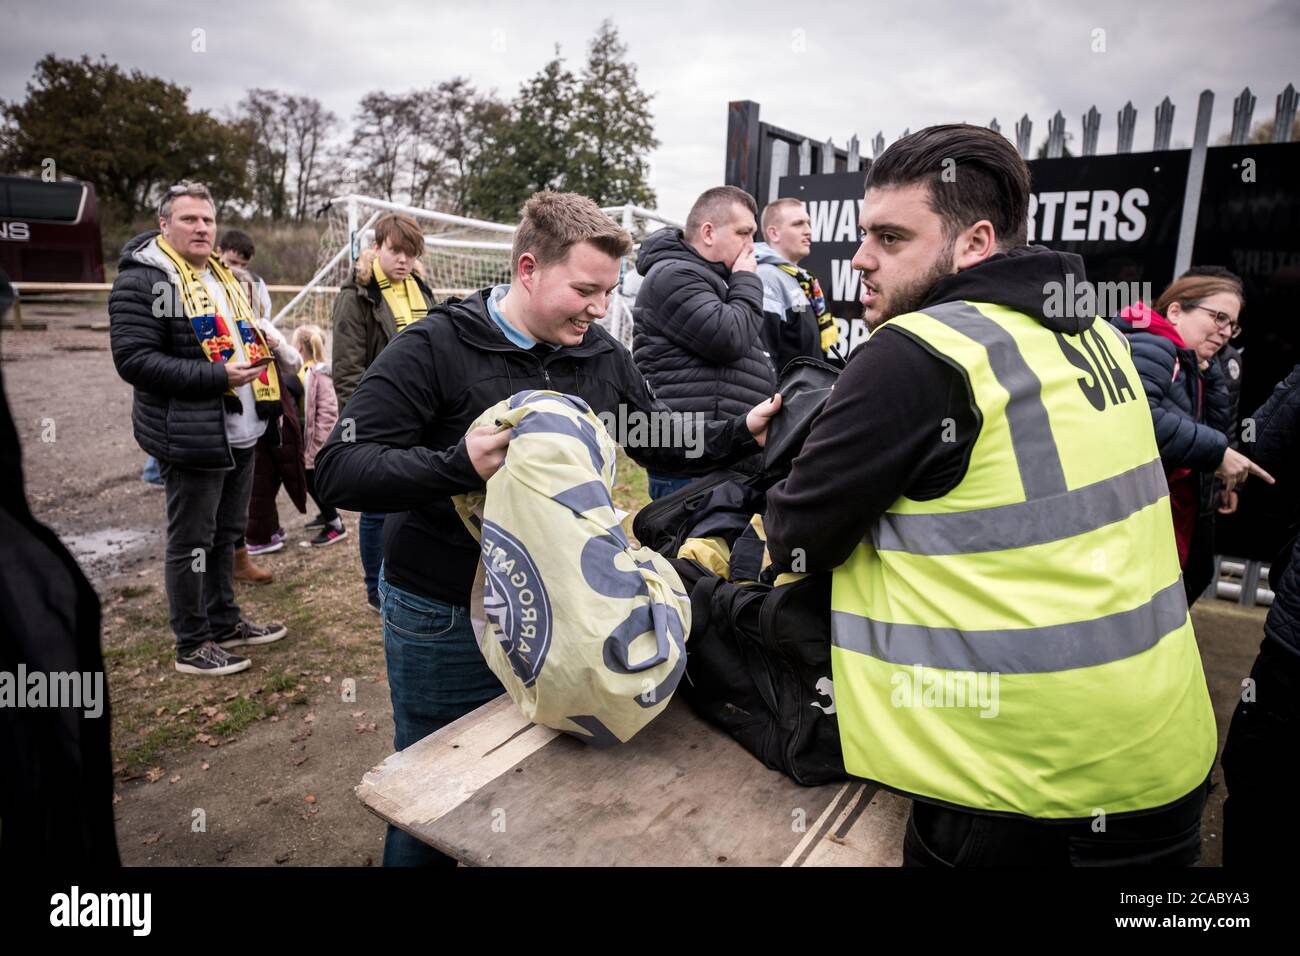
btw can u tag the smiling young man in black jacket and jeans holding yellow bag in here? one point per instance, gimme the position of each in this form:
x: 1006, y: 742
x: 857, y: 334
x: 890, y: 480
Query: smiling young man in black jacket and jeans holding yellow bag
x: 410, y: 453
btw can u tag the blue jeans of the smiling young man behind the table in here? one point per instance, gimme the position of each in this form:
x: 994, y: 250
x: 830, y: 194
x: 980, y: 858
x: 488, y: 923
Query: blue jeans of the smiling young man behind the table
x: 436, y: 676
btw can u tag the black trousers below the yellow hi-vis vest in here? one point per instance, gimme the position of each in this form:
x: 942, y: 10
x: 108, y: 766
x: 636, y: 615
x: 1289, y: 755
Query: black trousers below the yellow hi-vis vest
x: 1165, y: 837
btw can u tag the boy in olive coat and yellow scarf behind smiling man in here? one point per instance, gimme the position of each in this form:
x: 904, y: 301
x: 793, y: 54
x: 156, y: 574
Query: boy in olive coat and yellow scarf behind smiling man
x: 383, y: 297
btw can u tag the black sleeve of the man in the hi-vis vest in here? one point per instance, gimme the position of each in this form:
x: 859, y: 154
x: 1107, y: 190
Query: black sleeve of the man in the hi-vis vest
x: 900, y: 422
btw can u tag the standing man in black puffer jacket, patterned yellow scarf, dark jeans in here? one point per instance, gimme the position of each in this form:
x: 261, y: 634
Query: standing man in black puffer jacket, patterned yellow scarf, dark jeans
x: 206, y: 390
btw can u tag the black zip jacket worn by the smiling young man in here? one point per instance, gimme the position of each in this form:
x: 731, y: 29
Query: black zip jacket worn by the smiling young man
x: 415, y: 404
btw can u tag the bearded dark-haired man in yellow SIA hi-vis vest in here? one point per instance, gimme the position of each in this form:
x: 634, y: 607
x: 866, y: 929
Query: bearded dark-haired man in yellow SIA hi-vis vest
x: 1012, y: 644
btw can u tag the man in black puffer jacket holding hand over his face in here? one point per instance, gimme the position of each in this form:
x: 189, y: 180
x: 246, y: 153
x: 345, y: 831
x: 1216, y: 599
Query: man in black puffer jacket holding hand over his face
x: 699, y: 318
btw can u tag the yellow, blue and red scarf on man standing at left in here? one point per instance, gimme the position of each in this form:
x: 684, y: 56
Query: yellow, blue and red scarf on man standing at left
x: 214, y: 330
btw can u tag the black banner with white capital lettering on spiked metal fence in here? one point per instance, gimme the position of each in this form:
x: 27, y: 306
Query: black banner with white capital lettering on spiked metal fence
x: 1123, y: 215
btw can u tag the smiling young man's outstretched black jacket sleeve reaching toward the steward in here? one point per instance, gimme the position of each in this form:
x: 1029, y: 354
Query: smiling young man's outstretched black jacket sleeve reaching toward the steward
x: 705, y: 445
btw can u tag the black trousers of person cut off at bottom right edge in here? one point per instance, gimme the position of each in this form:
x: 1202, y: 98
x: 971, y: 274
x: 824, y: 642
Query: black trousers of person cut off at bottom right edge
x: 1262, y: 764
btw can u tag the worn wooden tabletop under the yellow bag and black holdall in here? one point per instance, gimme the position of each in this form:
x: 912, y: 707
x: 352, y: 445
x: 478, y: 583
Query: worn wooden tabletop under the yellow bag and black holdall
x: 489, y: 791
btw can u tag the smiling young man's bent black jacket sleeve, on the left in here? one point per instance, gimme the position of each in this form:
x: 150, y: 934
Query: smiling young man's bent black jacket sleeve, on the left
x: 383, y: 465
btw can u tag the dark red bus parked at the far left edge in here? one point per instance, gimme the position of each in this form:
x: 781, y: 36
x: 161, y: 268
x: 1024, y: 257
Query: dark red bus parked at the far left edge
x: 50, y: 231
